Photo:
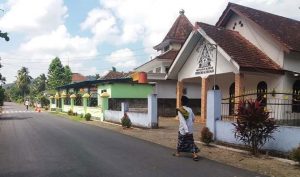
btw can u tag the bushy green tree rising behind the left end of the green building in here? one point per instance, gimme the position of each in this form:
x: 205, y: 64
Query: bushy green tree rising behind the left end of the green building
x: 57, y: 76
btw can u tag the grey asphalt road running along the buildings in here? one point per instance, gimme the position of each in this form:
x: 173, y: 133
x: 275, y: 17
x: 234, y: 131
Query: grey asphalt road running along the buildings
x: 41, y: 144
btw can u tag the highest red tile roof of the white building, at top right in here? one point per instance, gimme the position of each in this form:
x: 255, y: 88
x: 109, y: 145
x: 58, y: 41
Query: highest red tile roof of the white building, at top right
x: 284, y: 30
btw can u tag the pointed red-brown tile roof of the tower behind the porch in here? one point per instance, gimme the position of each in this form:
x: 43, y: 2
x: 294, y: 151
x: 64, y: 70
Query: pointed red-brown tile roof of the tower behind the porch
x: 178, y: 33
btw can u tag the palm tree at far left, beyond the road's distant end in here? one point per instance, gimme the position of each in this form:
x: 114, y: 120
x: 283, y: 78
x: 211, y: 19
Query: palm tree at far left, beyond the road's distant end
x: 23, y: 81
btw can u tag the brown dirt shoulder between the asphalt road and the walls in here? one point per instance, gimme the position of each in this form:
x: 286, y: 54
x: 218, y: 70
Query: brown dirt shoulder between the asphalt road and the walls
x: 166, y: 135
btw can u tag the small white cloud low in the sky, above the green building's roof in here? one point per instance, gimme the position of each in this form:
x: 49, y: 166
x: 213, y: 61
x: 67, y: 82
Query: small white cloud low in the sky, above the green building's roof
x: 123, y: 58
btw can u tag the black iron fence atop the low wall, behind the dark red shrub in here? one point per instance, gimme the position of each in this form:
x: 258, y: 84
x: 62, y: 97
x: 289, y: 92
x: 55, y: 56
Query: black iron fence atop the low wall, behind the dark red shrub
x: 283, y: 107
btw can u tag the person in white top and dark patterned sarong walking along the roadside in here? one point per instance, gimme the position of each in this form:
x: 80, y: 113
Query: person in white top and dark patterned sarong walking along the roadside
x: 185, y: 135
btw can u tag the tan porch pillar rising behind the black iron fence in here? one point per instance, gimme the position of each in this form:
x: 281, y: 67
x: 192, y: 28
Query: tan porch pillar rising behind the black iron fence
x: 239, y: 87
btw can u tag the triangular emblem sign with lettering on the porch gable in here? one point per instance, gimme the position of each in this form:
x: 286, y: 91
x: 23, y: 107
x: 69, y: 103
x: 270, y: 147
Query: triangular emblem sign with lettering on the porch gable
x: 205, y: 65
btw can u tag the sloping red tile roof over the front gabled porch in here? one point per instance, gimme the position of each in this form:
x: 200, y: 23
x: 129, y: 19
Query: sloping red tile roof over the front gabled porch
x: 242, y: 51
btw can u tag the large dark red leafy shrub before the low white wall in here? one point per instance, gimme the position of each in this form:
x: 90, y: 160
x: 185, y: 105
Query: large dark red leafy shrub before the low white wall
x: 254, y: 127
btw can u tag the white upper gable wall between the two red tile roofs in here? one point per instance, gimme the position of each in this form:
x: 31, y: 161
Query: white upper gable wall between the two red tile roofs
x: 258, y: 37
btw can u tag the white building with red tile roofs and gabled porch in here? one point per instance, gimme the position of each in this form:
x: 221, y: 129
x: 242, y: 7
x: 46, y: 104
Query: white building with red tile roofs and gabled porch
x: 247, y: 51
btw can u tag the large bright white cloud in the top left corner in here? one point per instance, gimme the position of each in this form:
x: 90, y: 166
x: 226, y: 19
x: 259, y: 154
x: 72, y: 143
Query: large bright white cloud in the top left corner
x: 33, y: 16
